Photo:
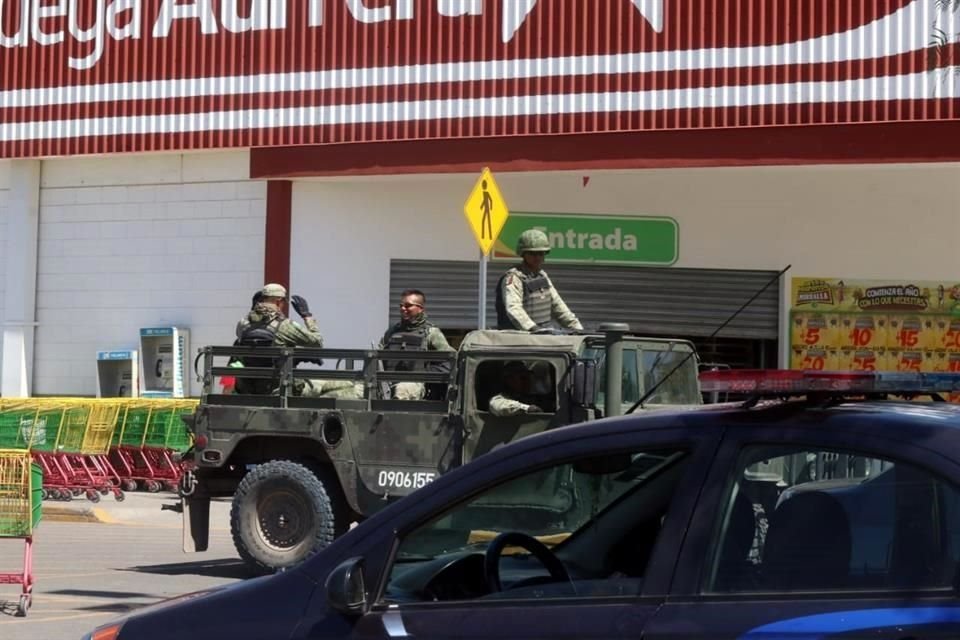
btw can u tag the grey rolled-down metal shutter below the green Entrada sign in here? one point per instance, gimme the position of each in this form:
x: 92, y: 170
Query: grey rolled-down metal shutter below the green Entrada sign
x: 654, y: 301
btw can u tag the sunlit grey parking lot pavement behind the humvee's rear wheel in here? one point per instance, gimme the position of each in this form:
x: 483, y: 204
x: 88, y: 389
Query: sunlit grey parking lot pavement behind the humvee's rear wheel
x: 94, y: 563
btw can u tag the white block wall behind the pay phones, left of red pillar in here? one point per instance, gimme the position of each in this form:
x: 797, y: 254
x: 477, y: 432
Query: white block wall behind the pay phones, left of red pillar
x: 136, y: 241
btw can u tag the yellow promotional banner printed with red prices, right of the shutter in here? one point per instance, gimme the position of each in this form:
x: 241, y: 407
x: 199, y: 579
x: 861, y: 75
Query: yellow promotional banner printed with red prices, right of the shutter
x: 875, y: 325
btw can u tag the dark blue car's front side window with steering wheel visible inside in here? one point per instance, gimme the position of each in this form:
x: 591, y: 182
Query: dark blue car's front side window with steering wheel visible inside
x: 596, y: 519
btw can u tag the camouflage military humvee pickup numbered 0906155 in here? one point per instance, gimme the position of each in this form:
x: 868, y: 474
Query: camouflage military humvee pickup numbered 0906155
x: 302, y: 469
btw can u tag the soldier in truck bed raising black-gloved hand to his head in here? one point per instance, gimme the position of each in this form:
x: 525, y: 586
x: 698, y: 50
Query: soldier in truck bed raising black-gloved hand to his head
x: 267, y: 326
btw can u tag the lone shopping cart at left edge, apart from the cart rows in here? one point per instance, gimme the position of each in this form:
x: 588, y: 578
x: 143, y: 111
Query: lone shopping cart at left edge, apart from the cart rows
x: 21, y: 499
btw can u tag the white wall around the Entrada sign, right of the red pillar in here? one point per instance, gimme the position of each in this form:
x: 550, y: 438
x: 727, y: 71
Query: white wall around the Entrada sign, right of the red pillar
x: 886, y: 221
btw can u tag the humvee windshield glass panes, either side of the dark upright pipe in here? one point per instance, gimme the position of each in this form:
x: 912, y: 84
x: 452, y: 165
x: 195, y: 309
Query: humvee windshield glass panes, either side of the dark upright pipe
x: 645, y: 365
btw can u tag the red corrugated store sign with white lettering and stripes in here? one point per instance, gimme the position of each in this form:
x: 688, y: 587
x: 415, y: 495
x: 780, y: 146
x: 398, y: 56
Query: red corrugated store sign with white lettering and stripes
x: 94, y: 76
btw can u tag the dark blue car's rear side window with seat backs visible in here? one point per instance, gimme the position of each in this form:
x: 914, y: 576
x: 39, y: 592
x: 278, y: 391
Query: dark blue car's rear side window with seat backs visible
x: 822, y: 520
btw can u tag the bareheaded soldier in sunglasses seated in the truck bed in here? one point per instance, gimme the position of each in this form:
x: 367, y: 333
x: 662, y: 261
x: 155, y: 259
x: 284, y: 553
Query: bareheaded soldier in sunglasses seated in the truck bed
x: 413, y: 331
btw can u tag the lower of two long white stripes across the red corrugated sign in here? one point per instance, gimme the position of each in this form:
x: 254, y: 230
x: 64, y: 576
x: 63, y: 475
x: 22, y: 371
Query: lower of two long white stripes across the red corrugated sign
x: 906, y: 87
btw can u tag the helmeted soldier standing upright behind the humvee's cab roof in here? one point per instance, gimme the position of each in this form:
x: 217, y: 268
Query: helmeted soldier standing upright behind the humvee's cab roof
x: 526, y: 298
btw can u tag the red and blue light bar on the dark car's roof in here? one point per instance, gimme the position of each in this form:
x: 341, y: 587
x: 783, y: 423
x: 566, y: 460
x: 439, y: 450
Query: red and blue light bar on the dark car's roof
x: 779, y: 382
